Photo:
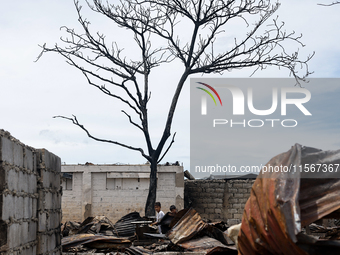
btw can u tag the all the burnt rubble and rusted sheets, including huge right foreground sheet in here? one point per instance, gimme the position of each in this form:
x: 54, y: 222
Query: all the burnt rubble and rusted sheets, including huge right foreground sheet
x: 280, y: 217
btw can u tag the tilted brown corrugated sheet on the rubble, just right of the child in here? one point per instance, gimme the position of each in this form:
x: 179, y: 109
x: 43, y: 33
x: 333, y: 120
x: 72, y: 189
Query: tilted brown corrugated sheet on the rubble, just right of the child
x: 188, y: 226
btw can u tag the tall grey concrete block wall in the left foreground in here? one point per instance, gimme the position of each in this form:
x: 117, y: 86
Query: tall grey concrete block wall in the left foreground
x: 30, y: 199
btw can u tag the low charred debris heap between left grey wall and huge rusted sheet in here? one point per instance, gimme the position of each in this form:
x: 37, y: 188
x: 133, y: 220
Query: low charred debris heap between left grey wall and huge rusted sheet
x: 188, y: 232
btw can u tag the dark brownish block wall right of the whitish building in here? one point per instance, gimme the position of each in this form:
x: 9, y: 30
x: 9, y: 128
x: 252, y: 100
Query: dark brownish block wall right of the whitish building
x: 218, y: 200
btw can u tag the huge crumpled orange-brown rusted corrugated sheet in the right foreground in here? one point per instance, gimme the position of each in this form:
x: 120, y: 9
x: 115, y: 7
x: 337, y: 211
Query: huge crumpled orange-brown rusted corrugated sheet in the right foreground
x: 281, y: 203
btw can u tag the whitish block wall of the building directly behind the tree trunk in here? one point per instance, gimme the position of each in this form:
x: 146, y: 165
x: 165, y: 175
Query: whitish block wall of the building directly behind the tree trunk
x: 115, y: 190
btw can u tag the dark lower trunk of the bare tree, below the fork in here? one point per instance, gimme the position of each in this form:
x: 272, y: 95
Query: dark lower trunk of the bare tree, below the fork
x: 150, y: 201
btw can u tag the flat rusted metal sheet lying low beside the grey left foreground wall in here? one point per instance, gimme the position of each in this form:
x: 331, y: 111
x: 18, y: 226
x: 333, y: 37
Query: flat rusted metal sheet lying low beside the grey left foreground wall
x: 95, y: 241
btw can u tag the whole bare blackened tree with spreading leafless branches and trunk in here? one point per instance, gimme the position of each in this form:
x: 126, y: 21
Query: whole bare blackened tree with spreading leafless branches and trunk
x: 105, y: 66
